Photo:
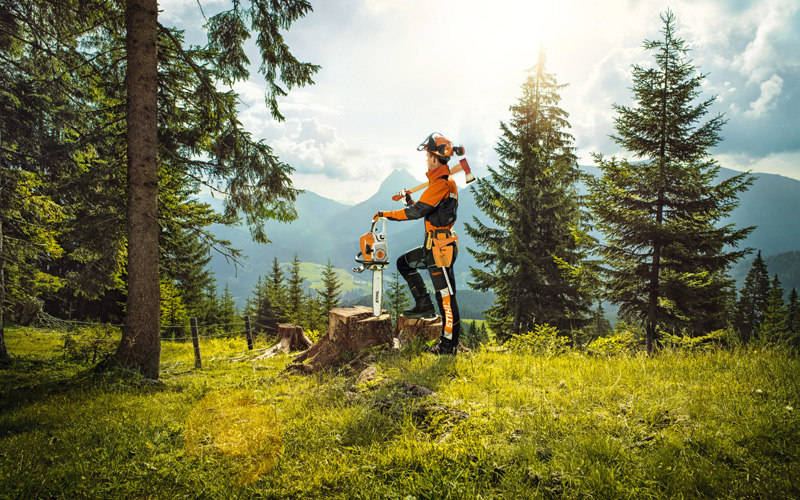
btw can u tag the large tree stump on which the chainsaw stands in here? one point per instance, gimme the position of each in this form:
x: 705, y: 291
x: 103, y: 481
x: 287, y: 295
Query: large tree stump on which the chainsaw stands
x: 351, y: 331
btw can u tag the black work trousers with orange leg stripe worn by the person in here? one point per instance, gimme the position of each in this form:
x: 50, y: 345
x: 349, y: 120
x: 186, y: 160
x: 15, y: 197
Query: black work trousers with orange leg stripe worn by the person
x: 410, y: 263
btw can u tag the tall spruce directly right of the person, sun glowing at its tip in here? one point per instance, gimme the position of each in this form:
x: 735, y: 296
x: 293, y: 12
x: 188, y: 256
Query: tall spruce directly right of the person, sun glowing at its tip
x: 533, y: 208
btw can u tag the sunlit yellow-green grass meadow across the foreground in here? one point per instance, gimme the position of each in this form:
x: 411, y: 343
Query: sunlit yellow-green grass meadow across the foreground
x: 712, y: 423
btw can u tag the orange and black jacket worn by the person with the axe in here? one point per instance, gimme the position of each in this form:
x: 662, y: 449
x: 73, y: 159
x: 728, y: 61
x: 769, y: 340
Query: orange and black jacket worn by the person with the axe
x: 438, y: 203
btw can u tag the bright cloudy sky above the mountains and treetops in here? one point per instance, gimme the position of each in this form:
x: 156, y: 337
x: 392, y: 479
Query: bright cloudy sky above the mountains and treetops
x: 394, y: 71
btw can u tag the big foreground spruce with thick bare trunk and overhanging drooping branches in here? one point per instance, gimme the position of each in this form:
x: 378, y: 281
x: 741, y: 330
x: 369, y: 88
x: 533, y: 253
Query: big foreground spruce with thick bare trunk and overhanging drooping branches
x: 93, y: 50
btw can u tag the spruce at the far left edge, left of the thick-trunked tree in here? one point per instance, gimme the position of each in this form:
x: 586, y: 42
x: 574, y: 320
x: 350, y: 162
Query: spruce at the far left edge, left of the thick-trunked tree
x: 39, y: 122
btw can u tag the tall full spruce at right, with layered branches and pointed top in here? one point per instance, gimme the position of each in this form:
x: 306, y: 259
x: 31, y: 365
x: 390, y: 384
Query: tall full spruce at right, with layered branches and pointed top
x: 665, y: 257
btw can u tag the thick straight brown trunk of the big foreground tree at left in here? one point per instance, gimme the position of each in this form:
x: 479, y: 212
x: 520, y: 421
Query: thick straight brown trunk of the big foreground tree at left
x: 140, y: 348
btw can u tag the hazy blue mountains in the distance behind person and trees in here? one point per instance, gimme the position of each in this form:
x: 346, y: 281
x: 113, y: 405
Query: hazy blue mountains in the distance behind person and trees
x: 326, y: 229
